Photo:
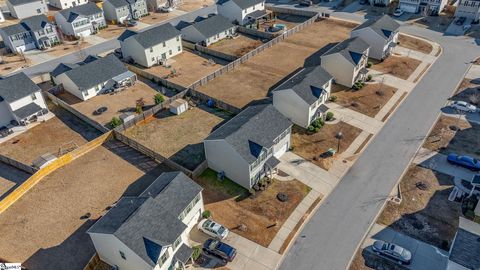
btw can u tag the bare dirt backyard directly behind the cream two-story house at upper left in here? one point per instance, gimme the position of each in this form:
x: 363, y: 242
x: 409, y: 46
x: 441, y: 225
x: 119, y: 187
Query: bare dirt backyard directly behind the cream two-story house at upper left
x: 189, y: 67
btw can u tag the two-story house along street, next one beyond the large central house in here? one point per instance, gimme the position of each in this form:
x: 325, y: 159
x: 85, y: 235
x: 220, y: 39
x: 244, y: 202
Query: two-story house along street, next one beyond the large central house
x: 302, y: 97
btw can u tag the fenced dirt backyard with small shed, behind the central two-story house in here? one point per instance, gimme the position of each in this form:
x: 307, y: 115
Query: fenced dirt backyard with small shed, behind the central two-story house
x: 179, y: 137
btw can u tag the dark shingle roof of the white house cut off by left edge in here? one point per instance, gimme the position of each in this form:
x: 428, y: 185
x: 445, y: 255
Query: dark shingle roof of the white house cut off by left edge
x: 16, y: 87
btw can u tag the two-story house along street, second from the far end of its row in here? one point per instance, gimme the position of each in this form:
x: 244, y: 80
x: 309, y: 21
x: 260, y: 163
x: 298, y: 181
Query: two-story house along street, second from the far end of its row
x: 347, y: 61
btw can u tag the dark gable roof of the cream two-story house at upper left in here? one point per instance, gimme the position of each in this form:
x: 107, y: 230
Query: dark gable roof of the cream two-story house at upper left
x: 152, y: 36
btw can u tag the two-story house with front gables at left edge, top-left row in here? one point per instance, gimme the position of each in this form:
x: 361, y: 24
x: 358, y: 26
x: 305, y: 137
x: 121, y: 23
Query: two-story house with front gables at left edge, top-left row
x: 35, y: 32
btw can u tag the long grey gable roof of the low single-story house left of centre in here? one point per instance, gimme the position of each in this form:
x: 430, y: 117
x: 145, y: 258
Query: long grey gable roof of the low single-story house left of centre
x: 92, y: 71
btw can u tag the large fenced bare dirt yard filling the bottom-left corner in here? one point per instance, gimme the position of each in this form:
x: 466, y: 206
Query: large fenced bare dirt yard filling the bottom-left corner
x: 46, y: 228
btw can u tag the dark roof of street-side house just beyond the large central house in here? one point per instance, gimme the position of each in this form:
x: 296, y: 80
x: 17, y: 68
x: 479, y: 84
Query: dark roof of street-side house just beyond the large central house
x: 307, y: 83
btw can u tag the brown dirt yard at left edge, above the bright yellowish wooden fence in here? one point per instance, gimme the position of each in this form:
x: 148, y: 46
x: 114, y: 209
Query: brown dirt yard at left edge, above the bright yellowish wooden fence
x: 48, y: 137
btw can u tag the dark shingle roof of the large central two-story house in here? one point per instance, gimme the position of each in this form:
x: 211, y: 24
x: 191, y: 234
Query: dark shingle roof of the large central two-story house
x: 255, y: 127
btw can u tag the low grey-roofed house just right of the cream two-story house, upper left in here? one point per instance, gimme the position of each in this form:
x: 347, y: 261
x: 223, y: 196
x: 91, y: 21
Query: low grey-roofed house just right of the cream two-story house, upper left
x: 207, y: 30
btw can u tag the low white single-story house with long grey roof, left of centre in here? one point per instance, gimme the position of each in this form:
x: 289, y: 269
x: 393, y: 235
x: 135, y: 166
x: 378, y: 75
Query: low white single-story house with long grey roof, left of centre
x: 93, y: 76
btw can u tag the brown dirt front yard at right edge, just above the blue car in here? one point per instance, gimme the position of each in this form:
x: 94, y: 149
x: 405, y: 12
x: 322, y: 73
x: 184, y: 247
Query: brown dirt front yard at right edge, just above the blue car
x: 444, y: 140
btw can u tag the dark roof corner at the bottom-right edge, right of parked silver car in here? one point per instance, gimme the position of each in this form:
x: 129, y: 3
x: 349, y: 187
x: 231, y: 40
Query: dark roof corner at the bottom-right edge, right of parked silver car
x: 466, y: 249
